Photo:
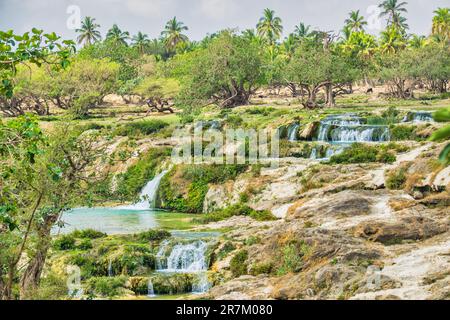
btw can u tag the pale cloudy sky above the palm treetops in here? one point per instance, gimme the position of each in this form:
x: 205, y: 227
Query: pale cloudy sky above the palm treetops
x: 201, y: 16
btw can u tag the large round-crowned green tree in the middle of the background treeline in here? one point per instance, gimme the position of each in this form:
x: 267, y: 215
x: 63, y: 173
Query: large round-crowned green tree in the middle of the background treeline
x: 227, y: 72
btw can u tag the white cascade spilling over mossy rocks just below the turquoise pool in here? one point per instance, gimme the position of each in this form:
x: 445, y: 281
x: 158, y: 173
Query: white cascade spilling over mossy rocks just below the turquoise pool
x: 185, y: 258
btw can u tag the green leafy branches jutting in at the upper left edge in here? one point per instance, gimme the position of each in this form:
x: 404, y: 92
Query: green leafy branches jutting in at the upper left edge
x: 35, y: 48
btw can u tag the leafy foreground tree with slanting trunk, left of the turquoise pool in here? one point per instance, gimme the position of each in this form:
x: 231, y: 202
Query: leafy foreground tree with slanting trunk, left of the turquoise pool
x: 41, y: 176
